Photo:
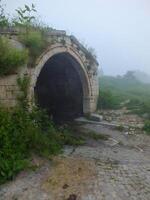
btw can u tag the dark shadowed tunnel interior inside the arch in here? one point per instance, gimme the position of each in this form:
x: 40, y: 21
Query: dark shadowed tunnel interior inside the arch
x: 59, y: 88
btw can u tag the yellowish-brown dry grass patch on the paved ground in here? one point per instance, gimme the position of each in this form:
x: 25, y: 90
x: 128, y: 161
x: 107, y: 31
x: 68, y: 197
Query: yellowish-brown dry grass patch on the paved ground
x: 69, y: 176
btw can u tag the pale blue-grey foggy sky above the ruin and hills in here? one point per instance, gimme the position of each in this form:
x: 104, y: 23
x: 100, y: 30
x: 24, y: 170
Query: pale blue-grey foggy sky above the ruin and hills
x: 118, y: 30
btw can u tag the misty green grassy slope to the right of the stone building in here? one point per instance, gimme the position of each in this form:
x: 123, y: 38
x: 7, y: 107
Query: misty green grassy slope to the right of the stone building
x: 115, y: 90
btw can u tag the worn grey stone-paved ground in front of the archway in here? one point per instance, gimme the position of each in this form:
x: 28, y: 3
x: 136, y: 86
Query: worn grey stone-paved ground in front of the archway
x: 120, y: 171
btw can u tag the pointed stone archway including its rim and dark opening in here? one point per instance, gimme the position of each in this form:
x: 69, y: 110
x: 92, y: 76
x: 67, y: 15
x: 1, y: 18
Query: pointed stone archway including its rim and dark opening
x: 78, y: 75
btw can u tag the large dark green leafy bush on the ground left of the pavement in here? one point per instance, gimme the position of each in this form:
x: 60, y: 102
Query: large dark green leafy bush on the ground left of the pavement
x: 22, y: 133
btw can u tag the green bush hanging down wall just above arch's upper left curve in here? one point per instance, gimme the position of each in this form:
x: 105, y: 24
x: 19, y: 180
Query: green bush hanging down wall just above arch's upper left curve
x: 35, y: 43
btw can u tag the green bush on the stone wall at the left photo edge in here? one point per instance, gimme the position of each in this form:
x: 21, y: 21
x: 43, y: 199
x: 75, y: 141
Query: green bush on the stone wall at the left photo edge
x: 11, y: 58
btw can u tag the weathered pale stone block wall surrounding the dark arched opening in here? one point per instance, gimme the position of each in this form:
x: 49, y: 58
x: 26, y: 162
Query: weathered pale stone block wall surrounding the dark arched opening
x: 59, y: 42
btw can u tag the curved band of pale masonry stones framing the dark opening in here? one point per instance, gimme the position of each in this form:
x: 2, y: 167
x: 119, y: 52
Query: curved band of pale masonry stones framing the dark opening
x: 86, y: 84
